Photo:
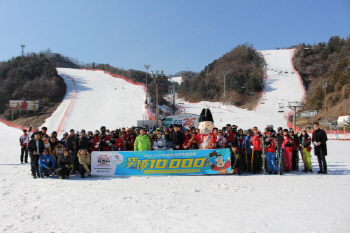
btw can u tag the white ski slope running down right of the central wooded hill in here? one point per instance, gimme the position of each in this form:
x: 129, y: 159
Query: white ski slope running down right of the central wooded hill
x: 278, y: 86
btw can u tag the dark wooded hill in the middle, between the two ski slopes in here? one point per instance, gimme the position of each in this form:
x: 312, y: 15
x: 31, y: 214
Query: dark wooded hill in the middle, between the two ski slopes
x: 244, y: 77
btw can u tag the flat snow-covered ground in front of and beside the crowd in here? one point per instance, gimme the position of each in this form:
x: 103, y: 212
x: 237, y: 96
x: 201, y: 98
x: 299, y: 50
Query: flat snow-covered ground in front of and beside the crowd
x: 293, y: 202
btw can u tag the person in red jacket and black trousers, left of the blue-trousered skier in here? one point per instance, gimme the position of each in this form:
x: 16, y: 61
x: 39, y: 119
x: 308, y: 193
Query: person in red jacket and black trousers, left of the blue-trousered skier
x: 256, y: 151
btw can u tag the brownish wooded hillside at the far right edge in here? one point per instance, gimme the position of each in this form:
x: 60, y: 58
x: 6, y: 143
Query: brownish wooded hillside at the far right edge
x: 324, y: 63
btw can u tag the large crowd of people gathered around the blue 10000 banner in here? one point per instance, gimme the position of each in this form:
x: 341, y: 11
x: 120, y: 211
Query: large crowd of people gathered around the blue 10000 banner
x: 72, y: 153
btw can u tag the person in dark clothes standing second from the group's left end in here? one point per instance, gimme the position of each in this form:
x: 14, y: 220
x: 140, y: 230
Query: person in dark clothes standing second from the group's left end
x: 35, y: 148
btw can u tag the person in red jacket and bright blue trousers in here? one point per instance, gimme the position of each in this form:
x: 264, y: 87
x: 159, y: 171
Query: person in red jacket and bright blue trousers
x: 270, y: 152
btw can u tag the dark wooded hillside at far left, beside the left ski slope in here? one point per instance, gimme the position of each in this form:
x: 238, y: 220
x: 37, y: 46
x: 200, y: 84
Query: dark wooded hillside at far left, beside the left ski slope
x: 31, y: 77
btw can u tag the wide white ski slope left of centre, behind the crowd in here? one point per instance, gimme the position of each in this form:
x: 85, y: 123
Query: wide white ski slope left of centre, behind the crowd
x: 100, y: 99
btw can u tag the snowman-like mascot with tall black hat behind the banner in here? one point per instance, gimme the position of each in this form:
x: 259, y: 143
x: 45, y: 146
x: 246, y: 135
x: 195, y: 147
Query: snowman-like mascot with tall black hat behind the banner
x: 206, y: 139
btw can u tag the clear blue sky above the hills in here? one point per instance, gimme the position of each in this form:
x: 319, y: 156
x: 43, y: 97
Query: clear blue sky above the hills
x: 169, y: 35
